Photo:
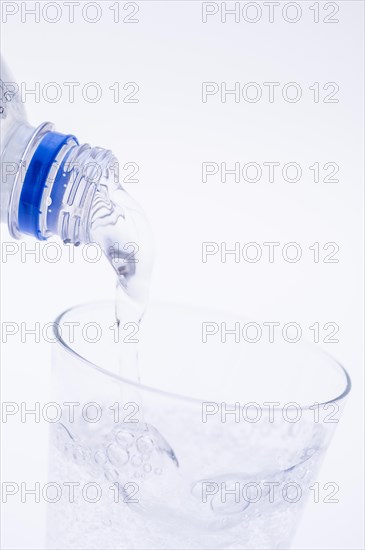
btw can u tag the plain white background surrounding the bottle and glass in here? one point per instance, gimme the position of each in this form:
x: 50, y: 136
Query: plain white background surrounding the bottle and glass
x: 169, y: 133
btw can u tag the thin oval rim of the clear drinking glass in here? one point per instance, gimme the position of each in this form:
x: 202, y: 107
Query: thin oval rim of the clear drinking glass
x: 171, y: 395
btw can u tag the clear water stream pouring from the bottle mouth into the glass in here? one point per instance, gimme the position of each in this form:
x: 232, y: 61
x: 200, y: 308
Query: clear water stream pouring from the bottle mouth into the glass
x: 119, y: 226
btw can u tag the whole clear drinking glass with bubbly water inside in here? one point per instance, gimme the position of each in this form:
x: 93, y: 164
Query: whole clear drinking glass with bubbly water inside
x: 212, y: 439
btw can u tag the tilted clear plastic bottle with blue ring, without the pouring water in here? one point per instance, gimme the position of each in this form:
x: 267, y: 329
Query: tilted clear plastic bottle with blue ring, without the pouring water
x: 48, y: 180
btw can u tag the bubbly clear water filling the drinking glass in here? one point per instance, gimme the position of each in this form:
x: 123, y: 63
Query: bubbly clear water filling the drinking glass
x: 149, y: 499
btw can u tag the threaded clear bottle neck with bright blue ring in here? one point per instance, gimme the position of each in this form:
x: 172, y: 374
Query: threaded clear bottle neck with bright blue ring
x: 55, y: 193
